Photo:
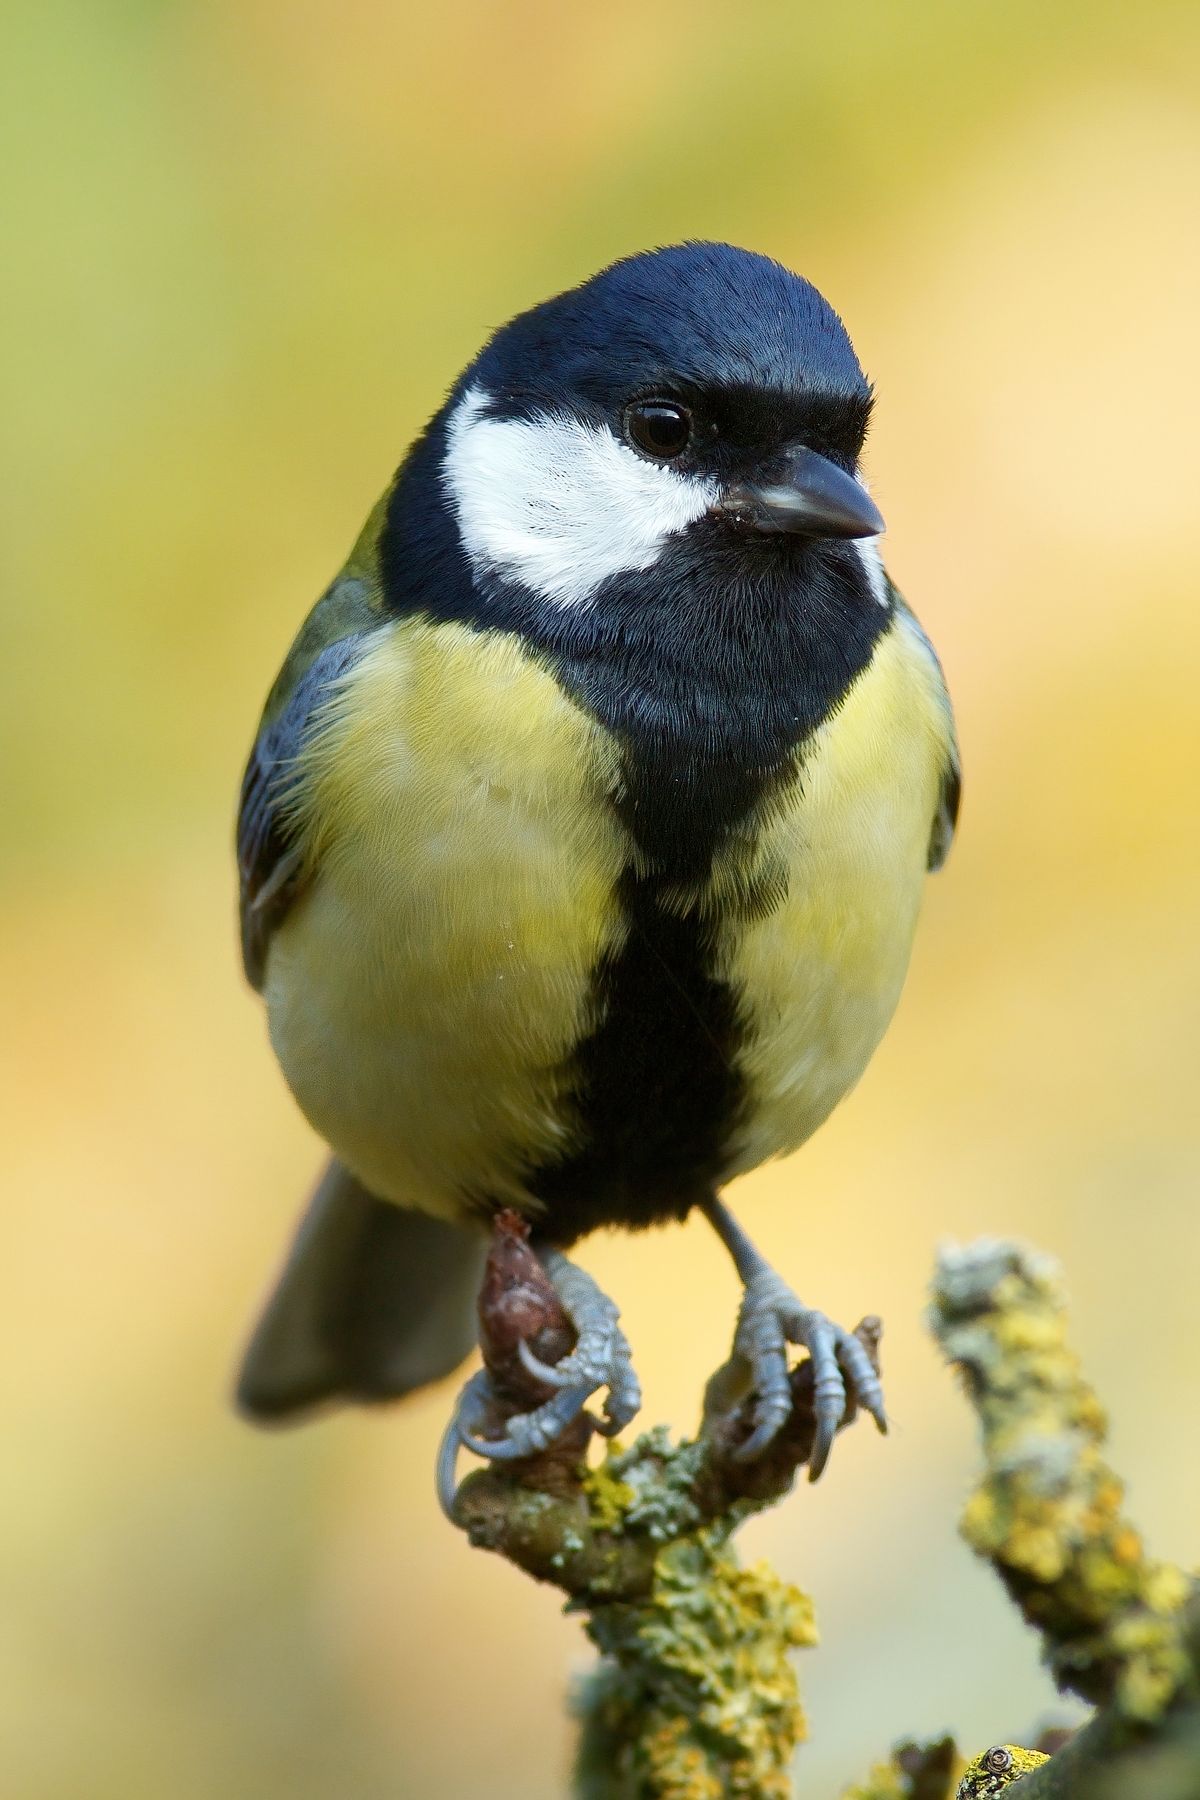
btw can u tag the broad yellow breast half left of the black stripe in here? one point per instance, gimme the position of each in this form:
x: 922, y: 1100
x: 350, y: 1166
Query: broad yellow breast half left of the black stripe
x: 425, y: 993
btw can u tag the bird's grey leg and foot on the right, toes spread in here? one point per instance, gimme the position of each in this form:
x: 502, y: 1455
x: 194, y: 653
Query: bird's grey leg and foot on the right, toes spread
x: 769, y: 1320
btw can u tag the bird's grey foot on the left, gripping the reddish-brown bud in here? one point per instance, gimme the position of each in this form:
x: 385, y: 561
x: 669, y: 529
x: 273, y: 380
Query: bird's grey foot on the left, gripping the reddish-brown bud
x: 600, y: 1360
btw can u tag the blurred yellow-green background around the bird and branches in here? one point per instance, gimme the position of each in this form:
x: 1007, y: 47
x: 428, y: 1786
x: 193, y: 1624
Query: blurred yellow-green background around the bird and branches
x: 246, y: 251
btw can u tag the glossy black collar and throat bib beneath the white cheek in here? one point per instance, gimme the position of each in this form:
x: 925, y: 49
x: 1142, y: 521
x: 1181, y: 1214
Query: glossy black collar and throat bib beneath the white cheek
x: 712, y: 669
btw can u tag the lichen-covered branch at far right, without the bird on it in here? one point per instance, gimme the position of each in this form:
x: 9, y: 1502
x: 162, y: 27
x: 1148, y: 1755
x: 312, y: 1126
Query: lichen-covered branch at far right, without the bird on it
x: 1116, y: 1626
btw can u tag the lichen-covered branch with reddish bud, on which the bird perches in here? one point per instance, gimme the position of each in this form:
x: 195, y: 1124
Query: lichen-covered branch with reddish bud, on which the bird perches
x: 695, y: 1696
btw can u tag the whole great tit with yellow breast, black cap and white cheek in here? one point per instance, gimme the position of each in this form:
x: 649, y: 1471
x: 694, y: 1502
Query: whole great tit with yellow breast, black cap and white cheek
x: 584, y: 838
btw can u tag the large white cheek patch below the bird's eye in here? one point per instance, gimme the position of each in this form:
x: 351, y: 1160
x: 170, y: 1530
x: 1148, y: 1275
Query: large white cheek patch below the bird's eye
x: 560, y: 505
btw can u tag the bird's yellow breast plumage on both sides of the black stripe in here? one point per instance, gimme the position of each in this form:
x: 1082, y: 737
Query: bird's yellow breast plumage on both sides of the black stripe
x: 429, y: 989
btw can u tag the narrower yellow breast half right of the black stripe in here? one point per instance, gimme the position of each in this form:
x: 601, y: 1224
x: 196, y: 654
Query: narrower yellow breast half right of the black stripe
x: 821, y: 973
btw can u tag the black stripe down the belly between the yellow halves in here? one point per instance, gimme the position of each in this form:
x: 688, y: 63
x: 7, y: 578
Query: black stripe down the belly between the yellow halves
x: 656, y: 1086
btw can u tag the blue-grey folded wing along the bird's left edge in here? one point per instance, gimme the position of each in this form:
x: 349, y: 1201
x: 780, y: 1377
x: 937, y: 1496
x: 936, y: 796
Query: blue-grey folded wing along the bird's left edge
x: 271, y: 854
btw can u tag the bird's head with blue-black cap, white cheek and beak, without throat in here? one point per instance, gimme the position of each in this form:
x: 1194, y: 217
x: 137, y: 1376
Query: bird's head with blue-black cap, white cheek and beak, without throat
x: 694, y: 395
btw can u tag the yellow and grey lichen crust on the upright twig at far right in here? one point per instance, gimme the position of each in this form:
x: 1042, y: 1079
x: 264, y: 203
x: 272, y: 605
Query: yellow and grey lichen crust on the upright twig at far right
x: 1048, y: 1513
